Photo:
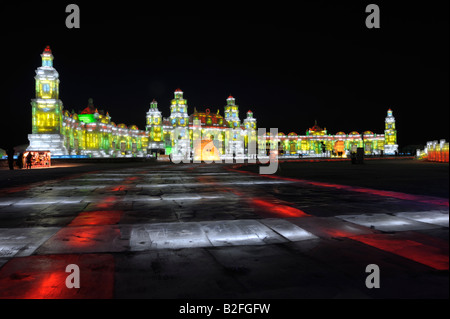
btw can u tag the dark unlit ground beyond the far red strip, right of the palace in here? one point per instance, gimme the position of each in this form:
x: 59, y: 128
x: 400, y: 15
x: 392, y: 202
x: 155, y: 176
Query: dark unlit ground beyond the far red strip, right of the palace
x: 395, y: 174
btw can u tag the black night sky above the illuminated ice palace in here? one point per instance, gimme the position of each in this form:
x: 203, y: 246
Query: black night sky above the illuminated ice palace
x: 290, y: 64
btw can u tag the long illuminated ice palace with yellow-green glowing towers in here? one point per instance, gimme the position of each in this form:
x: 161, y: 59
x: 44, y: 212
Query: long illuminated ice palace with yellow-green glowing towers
x: 200, y: 135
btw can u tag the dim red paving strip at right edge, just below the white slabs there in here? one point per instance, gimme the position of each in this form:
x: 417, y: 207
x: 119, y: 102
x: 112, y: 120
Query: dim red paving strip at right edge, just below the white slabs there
x: 435, y: 256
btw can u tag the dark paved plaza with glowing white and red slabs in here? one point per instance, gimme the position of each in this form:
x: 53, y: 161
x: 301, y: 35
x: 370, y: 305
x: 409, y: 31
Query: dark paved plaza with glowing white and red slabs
x: 208, y: 231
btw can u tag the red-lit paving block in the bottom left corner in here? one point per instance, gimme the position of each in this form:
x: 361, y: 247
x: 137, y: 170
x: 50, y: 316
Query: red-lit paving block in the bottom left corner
x: 44, y: 277
